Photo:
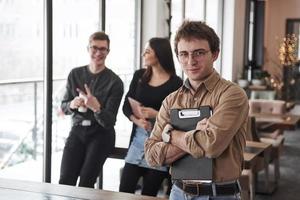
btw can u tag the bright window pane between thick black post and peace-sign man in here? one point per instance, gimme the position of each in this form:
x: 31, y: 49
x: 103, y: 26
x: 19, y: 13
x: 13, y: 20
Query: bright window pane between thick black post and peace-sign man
x: 73, y: 23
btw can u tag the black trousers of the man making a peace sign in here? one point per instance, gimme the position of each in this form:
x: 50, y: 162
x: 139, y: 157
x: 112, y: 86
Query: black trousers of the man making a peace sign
x: 85, y: 152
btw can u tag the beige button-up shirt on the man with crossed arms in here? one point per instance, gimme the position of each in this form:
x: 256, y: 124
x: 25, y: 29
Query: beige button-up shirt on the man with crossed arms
x: 225, y: 137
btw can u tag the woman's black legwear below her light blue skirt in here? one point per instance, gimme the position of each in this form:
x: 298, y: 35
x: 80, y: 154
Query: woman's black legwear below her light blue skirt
x: 152, y: 179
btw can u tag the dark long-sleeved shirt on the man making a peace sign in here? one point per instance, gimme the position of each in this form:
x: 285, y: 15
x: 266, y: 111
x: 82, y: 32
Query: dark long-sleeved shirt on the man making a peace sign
x: 106, y: 86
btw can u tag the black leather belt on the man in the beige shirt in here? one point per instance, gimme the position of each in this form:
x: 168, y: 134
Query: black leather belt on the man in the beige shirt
x: 206, y: 189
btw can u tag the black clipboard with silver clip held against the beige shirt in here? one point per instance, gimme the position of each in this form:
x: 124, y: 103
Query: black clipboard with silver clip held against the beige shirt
x: 188, y: 167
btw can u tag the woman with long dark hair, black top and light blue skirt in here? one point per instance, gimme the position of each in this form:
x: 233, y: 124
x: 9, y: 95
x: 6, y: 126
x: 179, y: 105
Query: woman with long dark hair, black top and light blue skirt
x: 149, y: 86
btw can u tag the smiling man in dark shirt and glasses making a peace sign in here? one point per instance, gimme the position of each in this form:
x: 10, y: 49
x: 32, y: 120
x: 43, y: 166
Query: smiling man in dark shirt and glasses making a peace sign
x: 93, y: 95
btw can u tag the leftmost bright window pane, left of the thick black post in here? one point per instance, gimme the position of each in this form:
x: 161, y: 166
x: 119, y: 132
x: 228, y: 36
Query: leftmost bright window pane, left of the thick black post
x: 21, y: 91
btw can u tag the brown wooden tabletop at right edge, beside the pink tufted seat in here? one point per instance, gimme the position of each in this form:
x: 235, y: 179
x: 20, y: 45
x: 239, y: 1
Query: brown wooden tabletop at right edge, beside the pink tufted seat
x: 281, y: 121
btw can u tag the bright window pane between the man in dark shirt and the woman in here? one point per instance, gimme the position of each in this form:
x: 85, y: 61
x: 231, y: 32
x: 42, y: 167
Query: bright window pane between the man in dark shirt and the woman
x: 122, y: 58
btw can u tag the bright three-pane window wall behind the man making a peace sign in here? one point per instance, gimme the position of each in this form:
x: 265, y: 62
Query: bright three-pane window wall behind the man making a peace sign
x: 22, y: 70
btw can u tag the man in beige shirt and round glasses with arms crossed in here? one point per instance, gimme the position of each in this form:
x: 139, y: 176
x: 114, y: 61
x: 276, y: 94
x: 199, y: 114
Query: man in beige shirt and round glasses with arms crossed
x: 220, y: 137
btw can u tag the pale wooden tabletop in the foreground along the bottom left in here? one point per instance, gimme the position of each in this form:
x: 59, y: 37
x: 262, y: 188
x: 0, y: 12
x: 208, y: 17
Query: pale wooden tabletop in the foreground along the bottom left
x: 17, y: 189
